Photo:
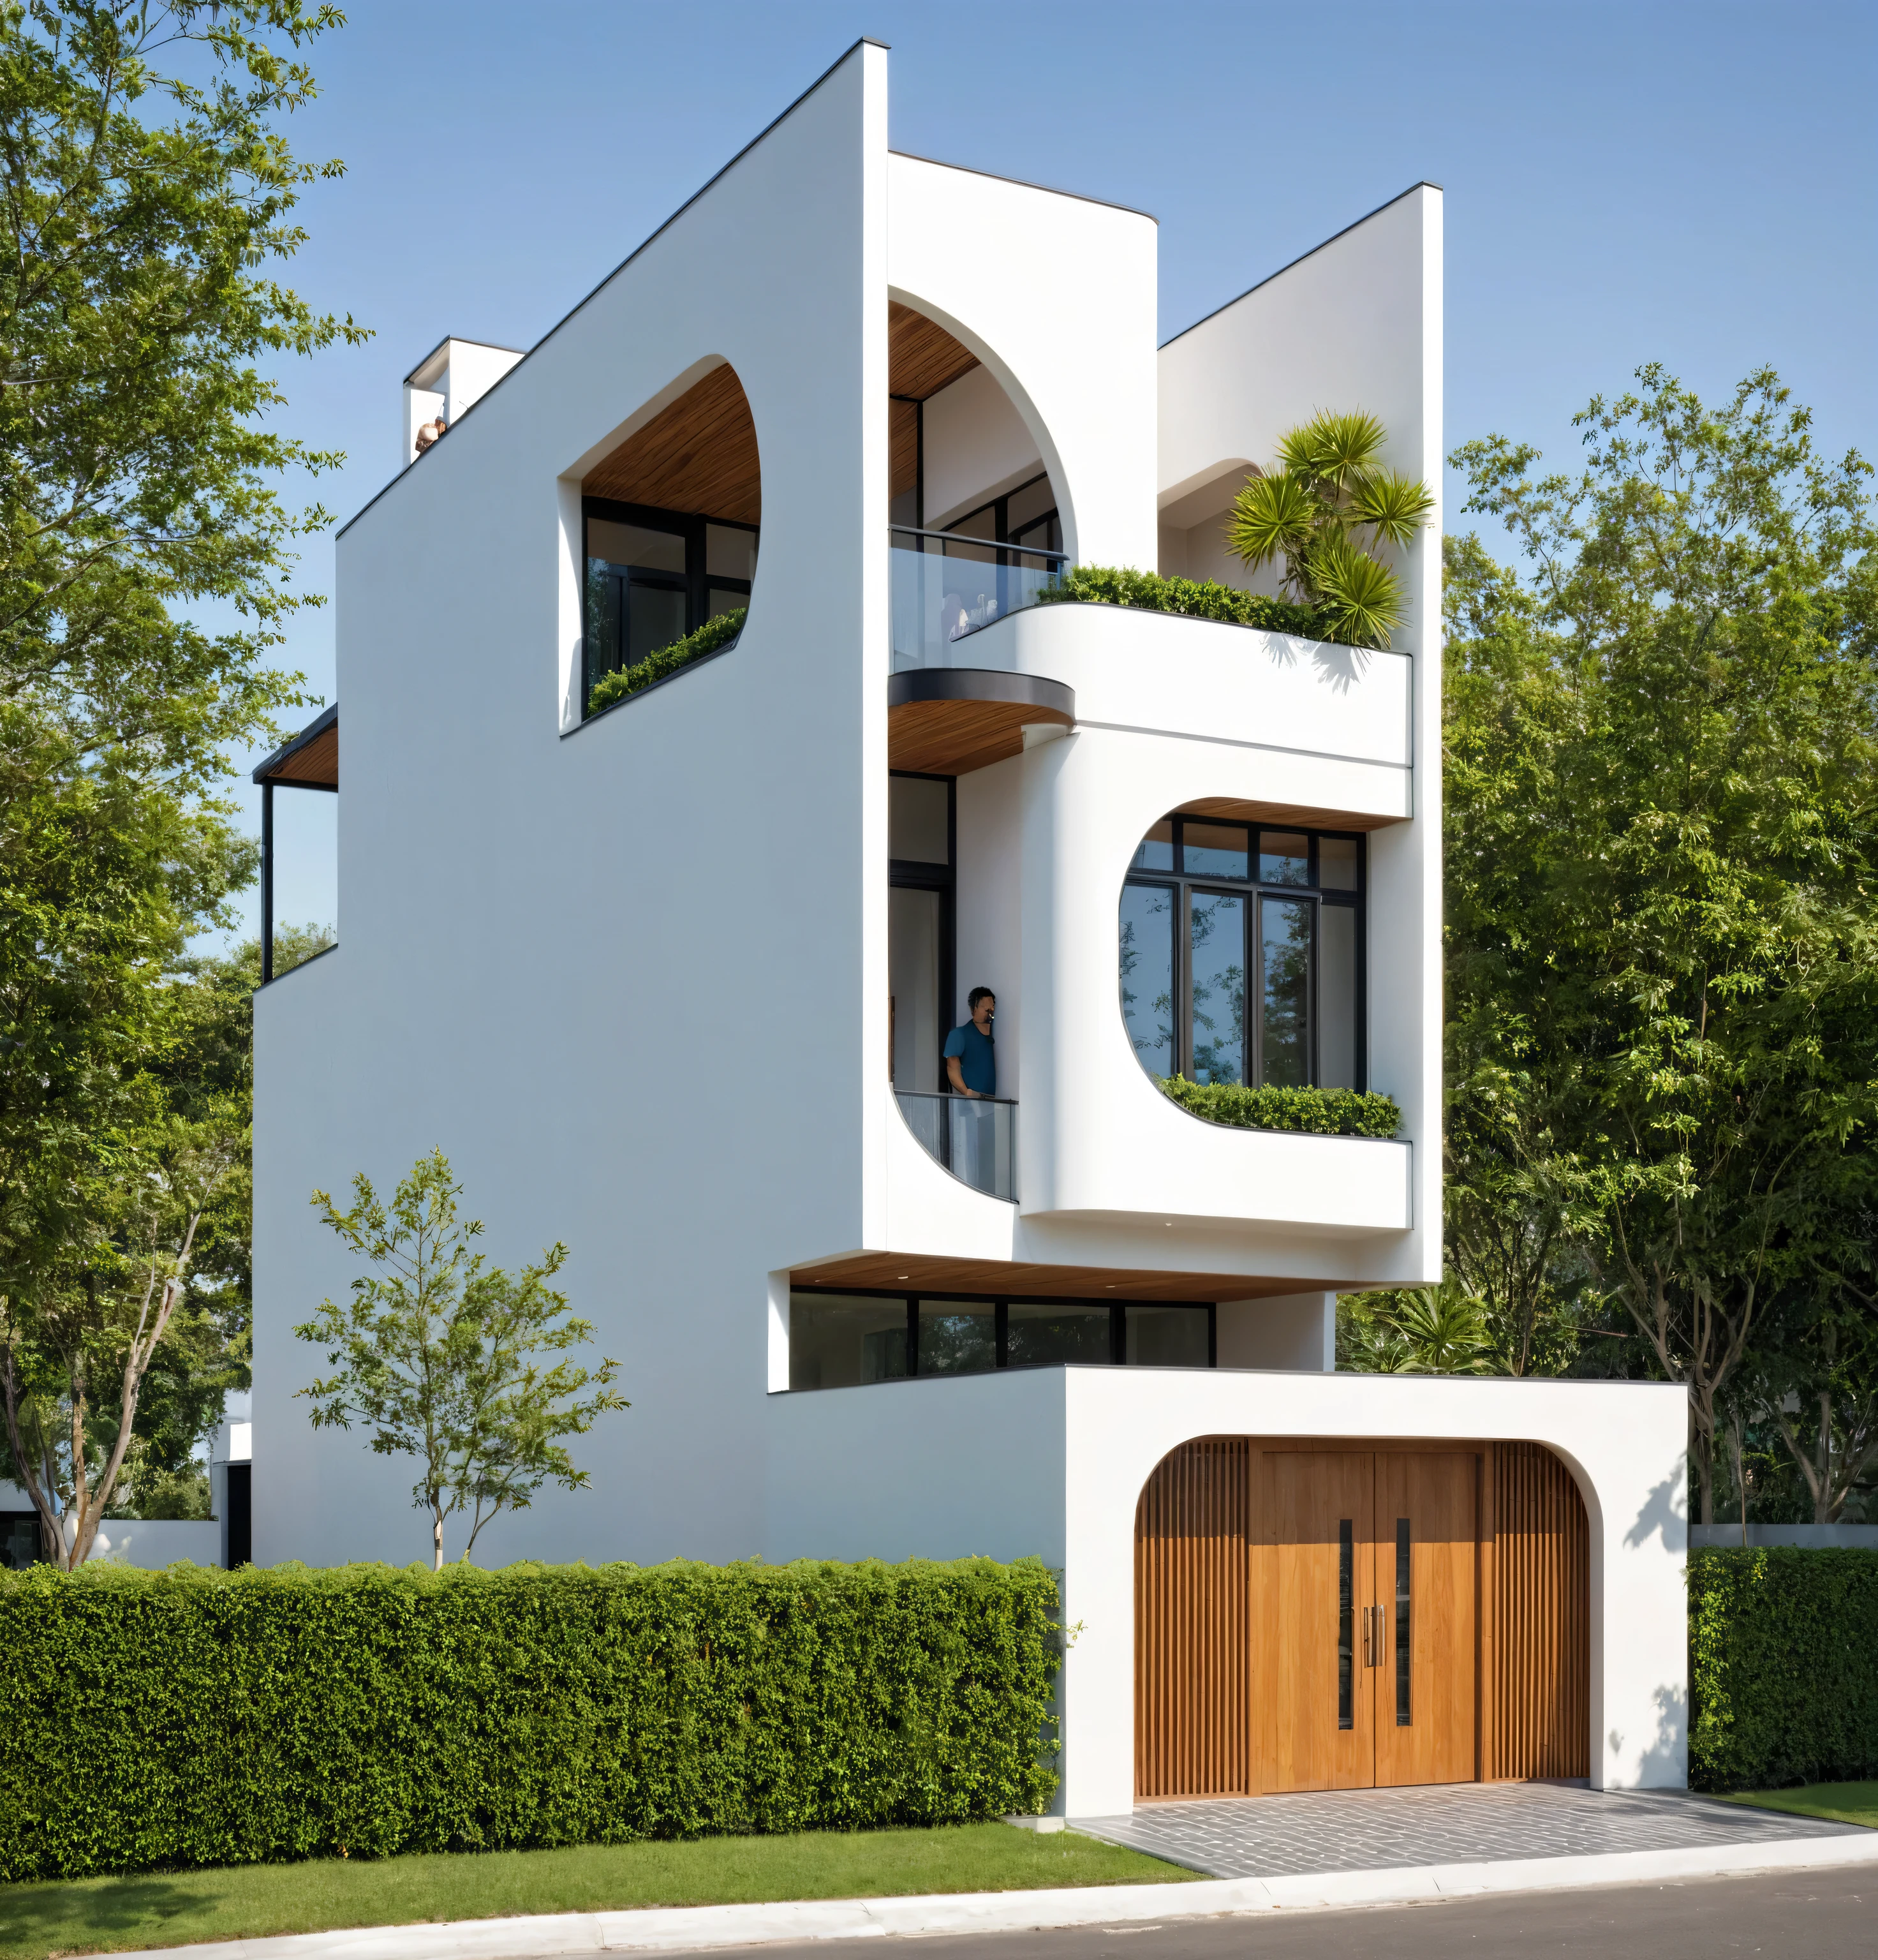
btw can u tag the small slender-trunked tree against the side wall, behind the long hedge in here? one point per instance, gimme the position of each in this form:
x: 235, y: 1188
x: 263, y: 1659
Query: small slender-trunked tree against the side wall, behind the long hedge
x: 440, y: 1357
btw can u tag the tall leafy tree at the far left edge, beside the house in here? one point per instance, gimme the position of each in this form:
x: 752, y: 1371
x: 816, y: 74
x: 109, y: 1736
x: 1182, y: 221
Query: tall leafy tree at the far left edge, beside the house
x: 140, y: 211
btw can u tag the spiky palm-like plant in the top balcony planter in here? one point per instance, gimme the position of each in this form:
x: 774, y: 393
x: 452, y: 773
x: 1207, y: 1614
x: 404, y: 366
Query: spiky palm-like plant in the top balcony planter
x: 1324, y: 513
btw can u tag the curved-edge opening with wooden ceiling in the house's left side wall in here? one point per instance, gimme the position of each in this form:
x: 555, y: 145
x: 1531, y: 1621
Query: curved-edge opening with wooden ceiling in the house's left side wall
x: 671, y: 524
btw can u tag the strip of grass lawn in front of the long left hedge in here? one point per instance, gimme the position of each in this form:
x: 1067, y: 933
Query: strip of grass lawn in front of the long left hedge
x: 246, y: 1902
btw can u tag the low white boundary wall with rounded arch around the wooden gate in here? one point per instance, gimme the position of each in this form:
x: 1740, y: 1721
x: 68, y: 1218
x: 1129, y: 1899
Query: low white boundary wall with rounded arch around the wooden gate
x: 1052, y: 1463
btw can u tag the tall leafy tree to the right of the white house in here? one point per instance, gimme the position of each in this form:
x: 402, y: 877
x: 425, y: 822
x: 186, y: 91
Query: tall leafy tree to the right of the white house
x: 1663, y: 848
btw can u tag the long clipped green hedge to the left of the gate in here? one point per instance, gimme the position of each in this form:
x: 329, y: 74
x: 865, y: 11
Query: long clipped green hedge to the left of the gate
x: 193, y: 1718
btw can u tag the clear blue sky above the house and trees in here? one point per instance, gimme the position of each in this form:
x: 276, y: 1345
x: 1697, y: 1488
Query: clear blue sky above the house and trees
x: 1681, y: 181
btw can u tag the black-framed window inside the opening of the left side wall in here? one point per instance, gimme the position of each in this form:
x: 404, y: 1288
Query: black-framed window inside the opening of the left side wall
x: 654, y: 577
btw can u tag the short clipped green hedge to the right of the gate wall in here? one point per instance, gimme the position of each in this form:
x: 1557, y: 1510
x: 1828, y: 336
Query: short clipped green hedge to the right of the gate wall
x: 1783, y: 1667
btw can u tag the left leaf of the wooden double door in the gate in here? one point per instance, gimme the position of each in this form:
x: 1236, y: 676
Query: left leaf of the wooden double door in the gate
x: 1314, y: 1534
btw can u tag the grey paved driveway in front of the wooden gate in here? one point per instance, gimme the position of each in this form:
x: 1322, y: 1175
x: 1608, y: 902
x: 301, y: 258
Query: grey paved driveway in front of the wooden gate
x: 1458, y: 1824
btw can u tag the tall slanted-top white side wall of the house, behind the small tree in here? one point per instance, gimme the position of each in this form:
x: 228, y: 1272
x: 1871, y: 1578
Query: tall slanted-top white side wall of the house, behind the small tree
x: 632, y: 981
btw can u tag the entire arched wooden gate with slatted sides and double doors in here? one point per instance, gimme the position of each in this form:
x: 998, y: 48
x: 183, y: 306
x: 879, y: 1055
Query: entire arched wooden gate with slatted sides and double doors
x: 1336, y: 1614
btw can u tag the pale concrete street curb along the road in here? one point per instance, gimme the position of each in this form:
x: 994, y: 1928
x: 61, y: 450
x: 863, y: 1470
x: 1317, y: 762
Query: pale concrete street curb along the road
x: 701, y: 1928
